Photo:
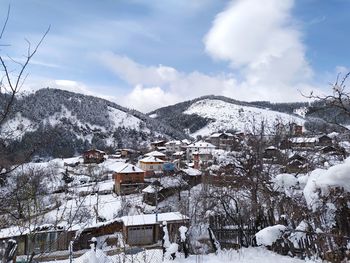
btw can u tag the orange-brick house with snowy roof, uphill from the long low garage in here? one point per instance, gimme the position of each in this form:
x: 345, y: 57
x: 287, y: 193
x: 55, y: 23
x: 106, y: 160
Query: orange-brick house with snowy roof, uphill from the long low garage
x: 128, y: 179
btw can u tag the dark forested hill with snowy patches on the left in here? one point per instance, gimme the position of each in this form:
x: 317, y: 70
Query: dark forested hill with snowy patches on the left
x: 57, y: 123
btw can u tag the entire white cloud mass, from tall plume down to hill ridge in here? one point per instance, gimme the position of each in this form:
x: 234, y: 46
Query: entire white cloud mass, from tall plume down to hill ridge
x: 262, y: 44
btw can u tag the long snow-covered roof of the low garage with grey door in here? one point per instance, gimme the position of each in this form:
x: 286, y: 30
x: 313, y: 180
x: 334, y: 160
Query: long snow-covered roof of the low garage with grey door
x: 150, y: 219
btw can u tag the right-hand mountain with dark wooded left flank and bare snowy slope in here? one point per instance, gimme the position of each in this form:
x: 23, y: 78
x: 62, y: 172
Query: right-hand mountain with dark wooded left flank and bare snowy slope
x: 209, y: 114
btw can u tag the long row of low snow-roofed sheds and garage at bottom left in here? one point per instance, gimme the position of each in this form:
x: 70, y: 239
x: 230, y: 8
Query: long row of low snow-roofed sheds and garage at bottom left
x: 138, y: 230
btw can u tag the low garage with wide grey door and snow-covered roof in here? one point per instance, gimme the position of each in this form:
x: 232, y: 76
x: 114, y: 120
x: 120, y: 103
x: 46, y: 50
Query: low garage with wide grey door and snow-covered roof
x: 140, y: 230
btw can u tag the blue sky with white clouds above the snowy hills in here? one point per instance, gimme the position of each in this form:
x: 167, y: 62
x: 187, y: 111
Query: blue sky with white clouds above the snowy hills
x: 146, y: 54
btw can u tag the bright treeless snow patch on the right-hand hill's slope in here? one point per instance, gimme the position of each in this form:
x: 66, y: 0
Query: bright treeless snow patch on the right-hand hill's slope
x: 231, y: 116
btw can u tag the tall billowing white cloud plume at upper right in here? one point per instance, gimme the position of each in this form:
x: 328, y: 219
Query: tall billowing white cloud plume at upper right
x: 261, y: 40
